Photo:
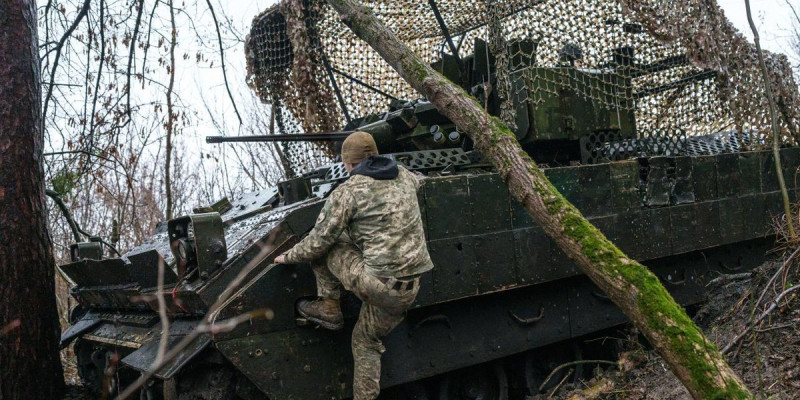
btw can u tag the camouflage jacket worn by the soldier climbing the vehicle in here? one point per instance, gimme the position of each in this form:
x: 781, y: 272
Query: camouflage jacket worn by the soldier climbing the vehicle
x: 382, y: 218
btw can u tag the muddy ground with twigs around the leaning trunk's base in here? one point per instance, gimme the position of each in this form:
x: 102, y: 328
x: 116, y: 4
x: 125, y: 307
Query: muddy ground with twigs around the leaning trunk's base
x: 767, y: 359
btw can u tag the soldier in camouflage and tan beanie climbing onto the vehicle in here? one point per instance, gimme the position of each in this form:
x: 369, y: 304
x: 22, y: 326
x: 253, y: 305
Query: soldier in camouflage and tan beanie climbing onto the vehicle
x: 369, y: 239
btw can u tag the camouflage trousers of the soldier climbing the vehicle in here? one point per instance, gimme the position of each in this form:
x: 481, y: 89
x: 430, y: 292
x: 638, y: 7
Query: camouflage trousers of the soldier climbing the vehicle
x: 384, y: 304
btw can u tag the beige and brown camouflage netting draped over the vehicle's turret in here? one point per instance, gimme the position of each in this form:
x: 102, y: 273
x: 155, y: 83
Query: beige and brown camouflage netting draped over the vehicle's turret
x: 689, y: 70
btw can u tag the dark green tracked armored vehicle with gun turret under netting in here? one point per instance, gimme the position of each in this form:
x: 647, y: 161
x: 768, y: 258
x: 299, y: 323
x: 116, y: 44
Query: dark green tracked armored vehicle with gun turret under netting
x: 690, y: 202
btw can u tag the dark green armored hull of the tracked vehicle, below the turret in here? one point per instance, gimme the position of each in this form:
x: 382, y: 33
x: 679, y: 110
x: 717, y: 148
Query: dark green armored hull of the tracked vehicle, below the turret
x: 499, y: 286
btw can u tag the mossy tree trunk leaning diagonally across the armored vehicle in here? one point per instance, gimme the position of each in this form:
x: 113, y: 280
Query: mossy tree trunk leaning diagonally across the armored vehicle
x: 634, y: 289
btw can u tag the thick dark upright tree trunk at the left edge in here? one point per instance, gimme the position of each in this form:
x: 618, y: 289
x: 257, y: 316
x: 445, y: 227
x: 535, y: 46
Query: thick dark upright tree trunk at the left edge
x: 29, y: 330
